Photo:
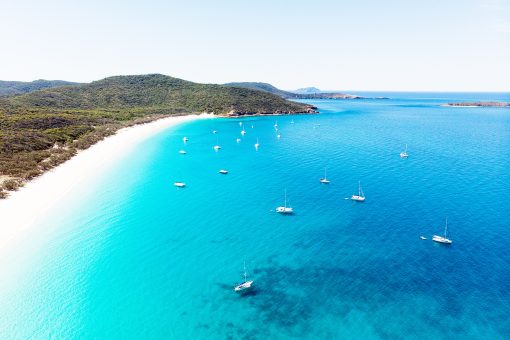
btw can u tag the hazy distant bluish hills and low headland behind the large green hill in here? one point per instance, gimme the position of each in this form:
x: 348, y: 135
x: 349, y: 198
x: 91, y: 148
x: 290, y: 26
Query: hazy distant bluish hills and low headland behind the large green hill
x: 303, y: 93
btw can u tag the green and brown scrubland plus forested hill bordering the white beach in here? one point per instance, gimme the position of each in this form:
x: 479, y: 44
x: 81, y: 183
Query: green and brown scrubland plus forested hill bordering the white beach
x: 41, y: 129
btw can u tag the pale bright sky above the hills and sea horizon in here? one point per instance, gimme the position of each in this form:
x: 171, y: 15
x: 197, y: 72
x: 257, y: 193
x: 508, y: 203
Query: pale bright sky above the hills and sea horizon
x: 392, y: 45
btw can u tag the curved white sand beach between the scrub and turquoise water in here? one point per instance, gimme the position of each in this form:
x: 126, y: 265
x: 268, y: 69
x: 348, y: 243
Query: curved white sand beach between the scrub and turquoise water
x: 26, y: 206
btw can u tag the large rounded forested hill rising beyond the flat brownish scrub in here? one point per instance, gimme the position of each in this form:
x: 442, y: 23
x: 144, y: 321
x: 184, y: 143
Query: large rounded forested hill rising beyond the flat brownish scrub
x: 157, y: 91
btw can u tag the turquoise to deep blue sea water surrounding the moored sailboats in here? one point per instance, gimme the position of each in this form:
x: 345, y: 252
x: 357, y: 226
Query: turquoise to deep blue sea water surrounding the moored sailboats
x: 132, y: 256
